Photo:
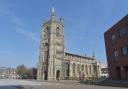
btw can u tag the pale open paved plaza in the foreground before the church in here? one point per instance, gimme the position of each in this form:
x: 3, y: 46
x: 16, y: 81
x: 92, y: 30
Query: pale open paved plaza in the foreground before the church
x: 33, y: 84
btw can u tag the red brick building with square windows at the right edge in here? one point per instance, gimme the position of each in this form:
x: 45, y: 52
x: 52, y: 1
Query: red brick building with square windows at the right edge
x: 116, y: 42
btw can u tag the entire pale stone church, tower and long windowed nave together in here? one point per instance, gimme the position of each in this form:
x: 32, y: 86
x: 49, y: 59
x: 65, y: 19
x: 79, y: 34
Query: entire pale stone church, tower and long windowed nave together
x: 54, y: 63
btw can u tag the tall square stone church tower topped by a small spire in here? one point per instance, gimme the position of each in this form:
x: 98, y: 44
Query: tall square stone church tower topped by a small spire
x: 51, y: 58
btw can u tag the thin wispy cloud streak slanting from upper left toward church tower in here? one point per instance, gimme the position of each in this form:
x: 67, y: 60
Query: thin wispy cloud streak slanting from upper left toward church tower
x: 18, y: 24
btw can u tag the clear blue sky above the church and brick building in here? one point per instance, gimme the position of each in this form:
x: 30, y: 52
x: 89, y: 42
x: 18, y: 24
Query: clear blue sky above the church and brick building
x: 85, y: 23
